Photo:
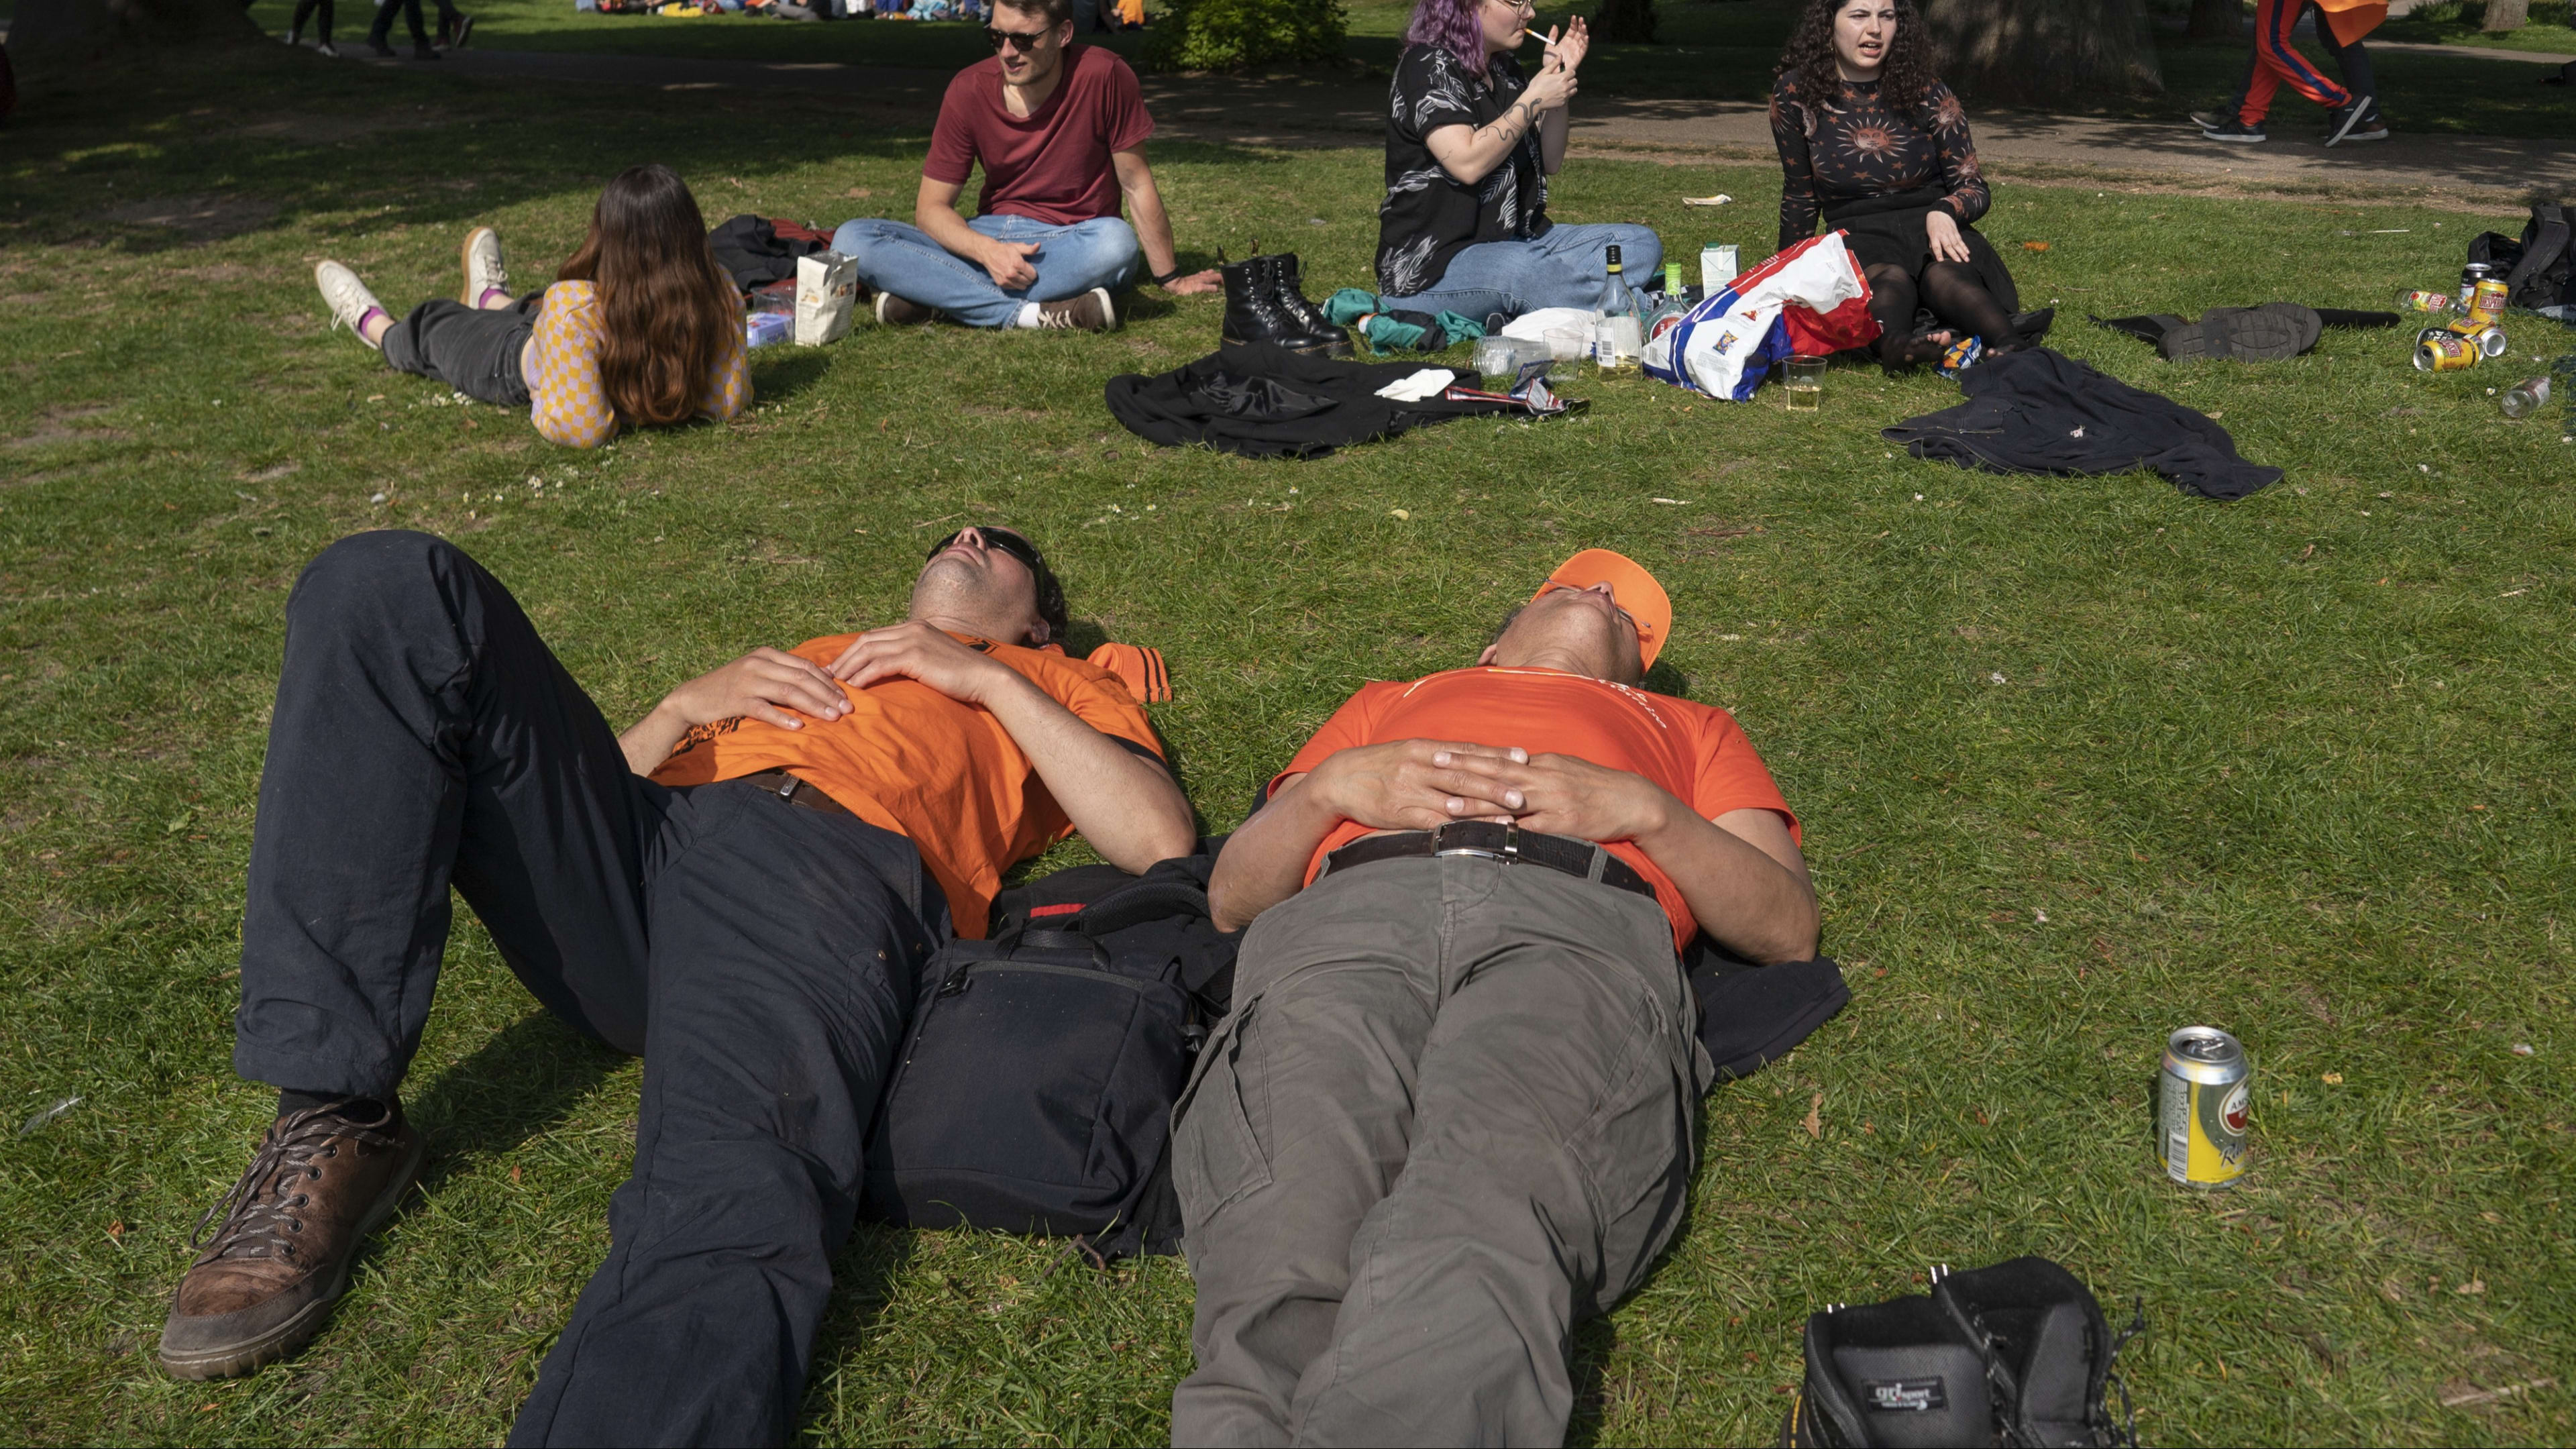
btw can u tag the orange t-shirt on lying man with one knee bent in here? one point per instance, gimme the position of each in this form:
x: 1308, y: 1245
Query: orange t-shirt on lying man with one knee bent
x: 926, y: 767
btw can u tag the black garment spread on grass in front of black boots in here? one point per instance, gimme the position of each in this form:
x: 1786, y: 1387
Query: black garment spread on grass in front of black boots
x: 1271, y: 404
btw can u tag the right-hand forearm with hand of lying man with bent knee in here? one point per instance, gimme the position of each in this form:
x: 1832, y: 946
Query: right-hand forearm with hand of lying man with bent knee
x: 1124, y: 806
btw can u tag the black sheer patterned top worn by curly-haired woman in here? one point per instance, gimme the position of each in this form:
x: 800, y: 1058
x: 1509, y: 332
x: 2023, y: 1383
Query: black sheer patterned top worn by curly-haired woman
x: 1843, y: 146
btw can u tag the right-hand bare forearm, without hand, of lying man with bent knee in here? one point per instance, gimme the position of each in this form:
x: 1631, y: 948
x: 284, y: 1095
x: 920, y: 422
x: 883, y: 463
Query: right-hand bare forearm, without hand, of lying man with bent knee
x: 1124, y: 806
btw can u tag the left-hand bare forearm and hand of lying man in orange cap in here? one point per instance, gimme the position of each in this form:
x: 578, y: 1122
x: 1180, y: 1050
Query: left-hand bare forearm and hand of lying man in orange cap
x: 1408, y: 785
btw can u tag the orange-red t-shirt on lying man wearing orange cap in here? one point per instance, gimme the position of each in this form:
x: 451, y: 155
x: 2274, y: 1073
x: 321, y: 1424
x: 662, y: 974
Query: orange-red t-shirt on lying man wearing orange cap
x: 1694, y: 752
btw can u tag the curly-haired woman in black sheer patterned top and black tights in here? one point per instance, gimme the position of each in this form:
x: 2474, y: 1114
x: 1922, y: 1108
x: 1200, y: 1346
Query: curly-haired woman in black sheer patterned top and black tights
x: 1877, y: 146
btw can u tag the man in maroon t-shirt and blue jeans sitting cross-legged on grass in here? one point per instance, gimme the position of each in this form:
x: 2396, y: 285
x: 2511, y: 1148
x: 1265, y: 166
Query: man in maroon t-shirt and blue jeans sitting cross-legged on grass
x: 1060, y: 133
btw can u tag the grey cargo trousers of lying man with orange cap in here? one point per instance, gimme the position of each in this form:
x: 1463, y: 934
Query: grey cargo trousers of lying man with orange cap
x: 1452, y: 1115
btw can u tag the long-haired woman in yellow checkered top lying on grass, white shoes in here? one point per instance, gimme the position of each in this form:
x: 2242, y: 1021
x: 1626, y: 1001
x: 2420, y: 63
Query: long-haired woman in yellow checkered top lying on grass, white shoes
x: 640, y: 329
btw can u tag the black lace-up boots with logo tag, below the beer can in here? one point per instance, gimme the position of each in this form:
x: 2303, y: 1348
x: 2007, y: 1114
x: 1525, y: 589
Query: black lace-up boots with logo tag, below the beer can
x: 2011, y: 1355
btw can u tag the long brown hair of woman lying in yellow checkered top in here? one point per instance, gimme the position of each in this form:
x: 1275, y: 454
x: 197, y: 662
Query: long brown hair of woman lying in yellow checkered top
x: 668, y: 313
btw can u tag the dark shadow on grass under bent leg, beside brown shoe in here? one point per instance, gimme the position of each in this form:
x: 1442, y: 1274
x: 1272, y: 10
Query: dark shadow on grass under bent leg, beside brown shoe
x: 519, y: 1084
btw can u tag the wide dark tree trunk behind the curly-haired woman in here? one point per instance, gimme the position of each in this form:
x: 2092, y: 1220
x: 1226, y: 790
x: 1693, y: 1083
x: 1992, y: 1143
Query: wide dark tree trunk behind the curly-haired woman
x: 2044, y: 50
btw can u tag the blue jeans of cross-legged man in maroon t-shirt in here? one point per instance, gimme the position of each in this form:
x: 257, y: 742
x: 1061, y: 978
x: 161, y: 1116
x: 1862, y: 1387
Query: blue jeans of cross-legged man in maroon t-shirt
x: 903, y: 259
